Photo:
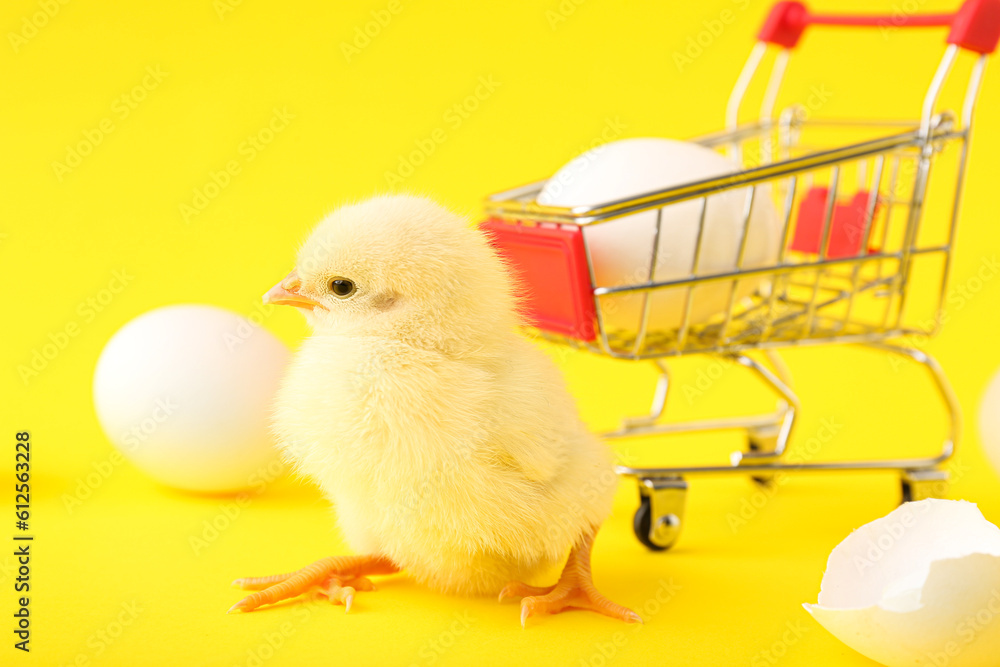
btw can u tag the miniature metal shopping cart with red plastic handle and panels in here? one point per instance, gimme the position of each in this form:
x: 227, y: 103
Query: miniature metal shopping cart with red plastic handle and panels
x: 851, y: 198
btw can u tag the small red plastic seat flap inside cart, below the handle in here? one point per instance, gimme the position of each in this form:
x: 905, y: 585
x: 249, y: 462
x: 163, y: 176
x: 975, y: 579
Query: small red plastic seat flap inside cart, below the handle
x: 847, y: 226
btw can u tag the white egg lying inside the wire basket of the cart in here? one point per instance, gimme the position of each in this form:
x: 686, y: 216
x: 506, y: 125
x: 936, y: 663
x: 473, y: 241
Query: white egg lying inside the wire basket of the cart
x: 622, y: 249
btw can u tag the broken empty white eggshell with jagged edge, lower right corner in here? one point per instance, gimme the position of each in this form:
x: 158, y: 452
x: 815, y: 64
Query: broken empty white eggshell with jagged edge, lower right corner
x: 920, y: 586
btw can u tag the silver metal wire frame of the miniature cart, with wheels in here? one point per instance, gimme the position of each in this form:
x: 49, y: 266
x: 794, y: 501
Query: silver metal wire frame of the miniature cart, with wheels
x: 808, y: 298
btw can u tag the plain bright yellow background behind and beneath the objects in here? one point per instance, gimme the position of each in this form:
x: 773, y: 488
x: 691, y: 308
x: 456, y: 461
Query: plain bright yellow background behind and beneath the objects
x: 565, y: 71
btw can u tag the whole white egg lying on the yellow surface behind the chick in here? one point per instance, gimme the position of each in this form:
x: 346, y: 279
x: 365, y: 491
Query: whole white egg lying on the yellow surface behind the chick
x: 184, y: 392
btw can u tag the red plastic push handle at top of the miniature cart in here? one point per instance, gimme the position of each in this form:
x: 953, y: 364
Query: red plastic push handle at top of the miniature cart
x: 975, y: 26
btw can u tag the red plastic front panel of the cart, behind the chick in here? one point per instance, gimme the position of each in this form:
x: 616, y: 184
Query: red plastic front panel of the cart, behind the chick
x: 552, y: 263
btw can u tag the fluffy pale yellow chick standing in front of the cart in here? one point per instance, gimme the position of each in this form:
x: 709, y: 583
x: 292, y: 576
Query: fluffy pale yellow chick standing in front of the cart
x: 446, y: 441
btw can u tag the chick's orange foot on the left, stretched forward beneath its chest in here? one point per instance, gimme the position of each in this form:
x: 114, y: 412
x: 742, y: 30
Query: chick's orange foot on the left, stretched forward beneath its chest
x: 338, y: 578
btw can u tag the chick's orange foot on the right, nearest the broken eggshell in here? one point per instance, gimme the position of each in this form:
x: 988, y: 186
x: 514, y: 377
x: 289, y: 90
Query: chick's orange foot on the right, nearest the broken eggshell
x: 574, y: 590
